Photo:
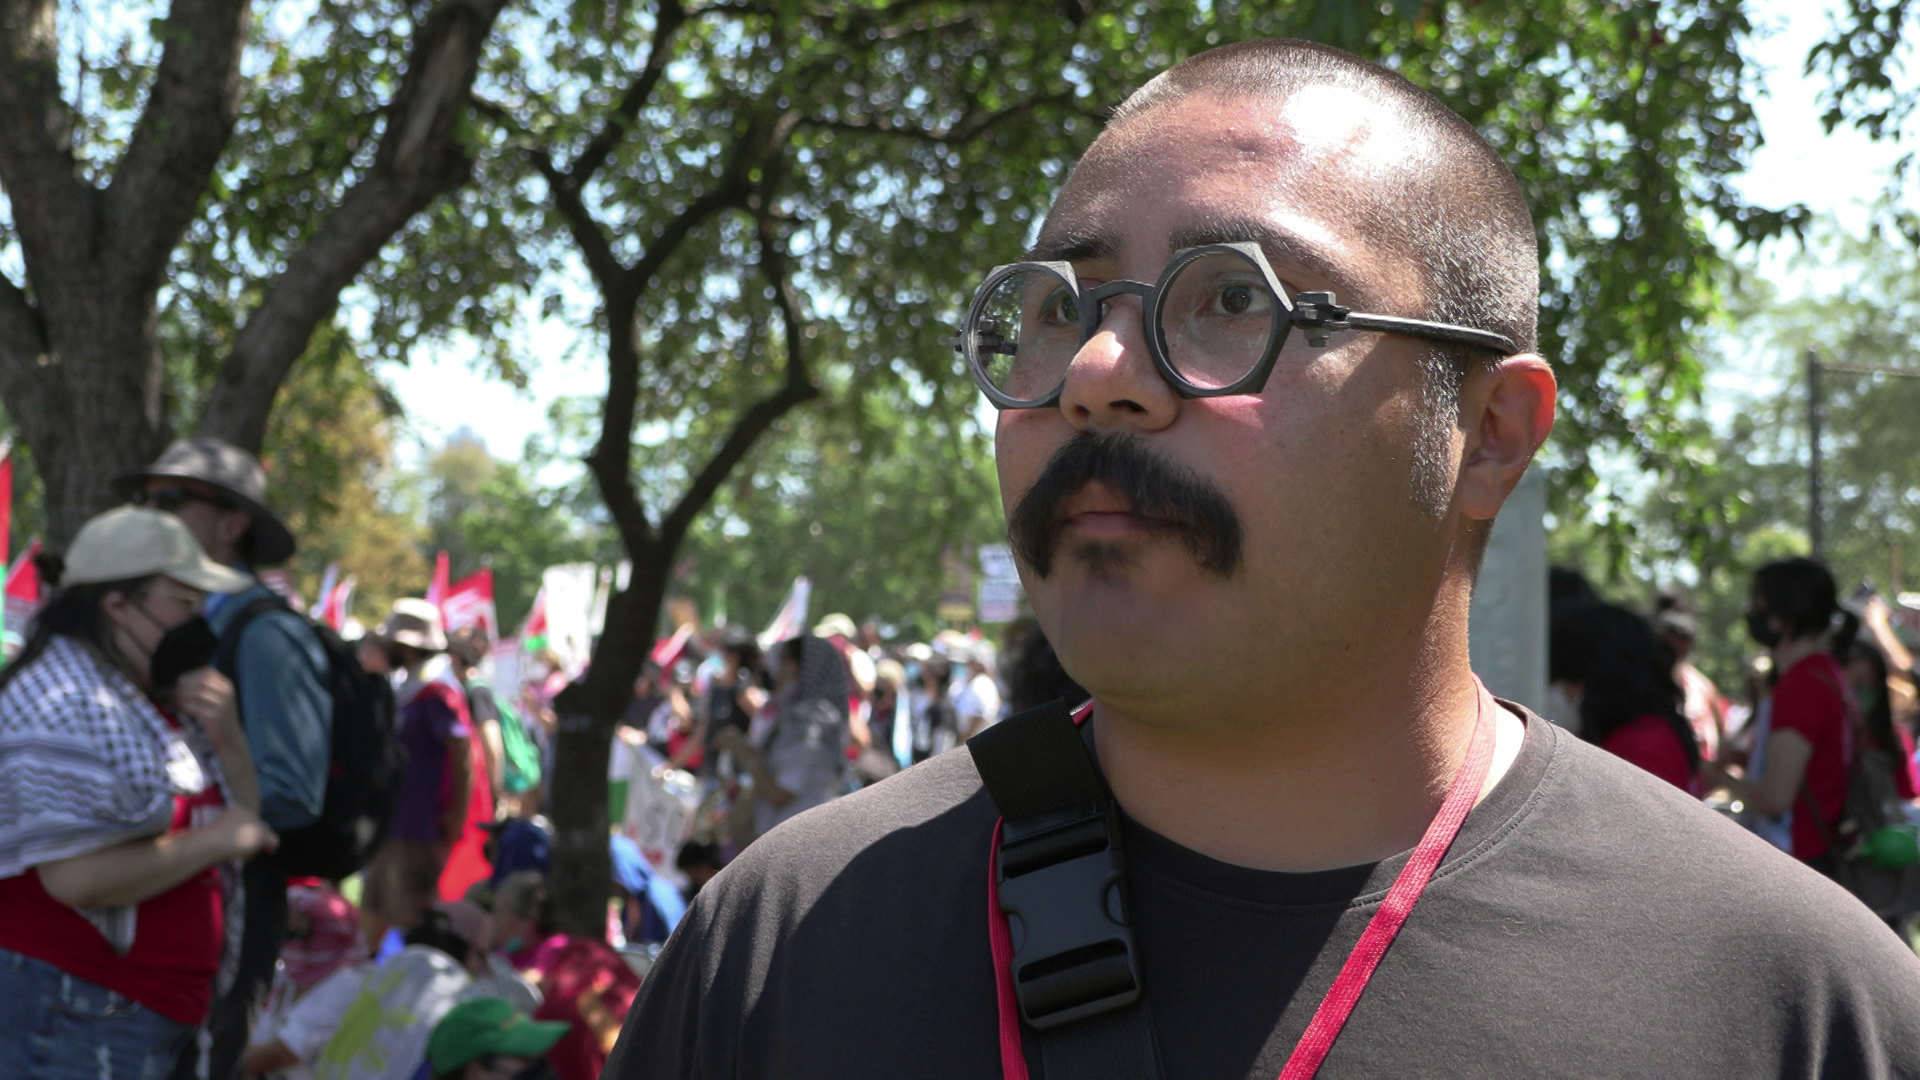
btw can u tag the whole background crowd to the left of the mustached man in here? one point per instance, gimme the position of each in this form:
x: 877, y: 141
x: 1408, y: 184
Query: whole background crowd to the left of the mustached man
x: 233, y: 845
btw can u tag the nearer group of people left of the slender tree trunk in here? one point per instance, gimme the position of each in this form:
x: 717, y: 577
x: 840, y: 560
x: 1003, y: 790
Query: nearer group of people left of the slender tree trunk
x: 233, y: 845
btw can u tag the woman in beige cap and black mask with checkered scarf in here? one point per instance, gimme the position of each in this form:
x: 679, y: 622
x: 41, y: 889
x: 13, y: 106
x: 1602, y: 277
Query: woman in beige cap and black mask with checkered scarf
x: 128, y: 800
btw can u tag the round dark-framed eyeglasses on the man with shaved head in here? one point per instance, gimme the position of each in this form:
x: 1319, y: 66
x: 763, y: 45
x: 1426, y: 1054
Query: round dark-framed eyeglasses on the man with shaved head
x: 1216, y: 322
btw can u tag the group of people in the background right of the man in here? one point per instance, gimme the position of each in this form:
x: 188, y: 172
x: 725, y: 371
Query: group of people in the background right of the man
x: 1815, y: 752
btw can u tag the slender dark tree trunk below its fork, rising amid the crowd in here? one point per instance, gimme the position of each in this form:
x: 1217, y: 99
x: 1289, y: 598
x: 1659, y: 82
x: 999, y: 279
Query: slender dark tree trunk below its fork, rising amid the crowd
x: 583, y: 870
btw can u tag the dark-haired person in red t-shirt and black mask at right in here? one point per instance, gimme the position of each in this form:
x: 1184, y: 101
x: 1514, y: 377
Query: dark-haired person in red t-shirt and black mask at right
x: 1802, y: 766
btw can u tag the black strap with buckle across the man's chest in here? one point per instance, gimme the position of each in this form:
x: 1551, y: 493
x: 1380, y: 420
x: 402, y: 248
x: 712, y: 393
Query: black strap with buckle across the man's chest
x: 1063, y: 889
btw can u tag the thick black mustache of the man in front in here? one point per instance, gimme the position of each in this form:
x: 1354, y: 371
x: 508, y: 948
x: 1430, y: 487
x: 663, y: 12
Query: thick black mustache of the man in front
x: 1159, y: 489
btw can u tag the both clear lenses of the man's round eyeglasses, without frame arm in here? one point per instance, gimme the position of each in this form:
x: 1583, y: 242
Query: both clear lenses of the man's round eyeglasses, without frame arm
x: 1216, y: 320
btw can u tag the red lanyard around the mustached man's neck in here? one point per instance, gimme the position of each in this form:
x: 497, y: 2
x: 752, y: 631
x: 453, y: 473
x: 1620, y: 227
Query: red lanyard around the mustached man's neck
x: 1360, y: 964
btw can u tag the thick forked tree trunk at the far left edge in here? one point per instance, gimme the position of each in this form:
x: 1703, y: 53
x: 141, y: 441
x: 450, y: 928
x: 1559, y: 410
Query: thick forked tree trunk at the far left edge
x: 80, y: 370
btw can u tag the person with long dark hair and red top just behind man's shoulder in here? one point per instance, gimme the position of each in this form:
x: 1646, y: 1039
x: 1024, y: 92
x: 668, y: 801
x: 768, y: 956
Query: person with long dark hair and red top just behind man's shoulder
x: 1616, y: 666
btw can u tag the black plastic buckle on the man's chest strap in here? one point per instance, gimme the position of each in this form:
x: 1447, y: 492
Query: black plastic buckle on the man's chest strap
x: 1061, y: 891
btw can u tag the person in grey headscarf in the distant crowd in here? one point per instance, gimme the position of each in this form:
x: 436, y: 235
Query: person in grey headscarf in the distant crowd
x: 804, y: 760
